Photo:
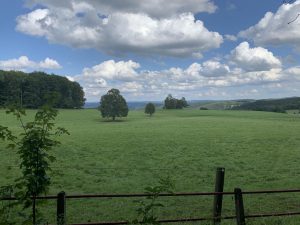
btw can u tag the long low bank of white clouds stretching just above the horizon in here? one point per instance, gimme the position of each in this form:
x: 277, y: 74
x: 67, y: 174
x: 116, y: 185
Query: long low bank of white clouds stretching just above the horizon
x: 129, y: 77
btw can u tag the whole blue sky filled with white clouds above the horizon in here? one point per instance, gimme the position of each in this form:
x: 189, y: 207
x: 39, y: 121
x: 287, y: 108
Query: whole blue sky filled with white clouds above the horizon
x: 197, y: 49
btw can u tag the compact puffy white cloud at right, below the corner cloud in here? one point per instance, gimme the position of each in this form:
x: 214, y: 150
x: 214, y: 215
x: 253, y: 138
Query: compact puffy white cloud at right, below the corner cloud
x: 254, y: 59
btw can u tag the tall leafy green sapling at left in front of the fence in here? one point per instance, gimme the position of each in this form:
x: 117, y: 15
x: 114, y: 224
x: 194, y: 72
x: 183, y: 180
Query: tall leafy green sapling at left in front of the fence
x: 35, y: 142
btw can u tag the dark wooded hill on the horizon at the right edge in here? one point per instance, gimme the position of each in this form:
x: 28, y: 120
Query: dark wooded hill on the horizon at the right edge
x: 271, y: 105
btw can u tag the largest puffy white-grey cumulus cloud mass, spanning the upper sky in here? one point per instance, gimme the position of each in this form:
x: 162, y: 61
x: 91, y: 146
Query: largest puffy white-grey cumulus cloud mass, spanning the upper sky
x: 134, y: 28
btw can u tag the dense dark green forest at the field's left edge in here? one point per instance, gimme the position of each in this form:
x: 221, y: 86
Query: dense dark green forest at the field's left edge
x: 32, y: 90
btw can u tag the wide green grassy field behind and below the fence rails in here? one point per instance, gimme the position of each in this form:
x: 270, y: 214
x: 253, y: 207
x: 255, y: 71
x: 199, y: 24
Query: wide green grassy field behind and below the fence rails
x: 259, y: 150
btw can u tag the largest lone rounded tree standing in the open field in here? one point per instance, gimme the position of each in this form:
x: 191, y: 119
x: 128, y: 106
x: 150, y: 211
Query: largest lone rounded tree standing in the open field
x: 113, y: 105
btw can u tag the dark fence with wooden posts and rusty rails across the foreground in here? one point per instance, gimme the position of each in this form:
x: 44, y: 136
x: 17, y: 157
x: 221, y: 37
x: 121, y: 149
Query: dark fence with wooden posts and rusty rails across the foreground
x: 216, y: 217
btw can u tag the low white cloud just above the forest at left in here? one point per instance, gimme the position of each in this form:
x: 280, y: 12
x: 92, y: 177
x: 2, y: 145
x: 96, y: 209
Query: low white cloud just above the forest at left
x: 24, y: 63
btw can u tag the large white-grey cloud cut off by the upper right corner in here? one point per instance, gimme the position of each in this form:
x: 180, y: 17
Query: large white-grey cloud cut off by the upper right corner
x: 273, y: 28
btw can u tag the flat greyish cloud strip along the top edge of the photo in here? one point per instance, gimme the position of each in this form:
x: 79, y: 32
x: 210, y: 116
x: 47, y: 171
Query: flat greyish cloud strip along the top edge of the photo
x: 154, y: 8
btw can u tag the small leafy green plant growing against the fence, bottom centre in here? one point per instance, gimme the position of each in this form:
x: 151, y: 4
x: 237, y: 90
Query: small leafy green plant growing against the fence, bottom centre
x: 147, y: 209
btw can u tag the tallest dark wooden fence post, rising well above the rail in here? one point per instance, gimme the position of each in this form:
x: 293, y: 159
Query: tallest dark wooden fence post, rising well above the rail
x: 219, y: 186
